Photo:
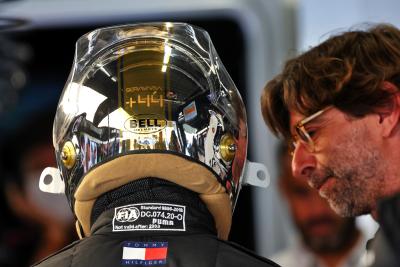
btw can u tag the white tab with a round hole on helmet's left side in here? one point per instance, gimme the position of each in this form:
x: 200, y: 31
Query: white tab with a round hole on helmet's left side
x: 50, y: 181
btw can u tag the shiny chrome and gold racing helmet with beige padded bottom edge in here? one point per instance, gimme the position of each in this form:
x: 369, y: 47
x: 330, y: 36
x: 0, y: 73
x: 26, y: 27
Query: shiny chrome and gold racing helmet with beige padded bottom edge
x: 149, y: 100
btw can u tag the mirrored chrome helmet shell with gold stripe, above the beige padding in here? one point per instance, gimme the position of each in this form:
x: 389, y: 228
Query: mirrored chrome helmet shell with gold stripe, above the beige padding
x: 152, y: 88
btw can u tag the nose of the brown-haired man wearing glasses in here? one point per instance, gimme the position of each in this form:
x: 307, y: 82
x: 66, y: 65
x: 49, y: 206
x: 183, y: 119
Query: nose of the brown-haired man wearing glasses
x: 303, y: 162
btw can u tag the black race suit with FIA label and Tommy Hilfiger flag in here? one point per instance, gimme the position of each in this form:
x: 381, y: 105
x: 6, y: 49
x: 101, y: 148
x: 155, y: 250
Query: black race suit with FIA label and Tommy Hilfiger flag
x: 185, y: 234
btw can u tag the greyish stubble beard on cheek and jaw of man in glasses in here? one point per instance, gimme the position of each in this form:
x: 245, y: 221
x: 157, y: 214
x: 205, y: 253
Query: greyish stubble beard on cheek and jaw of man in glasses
x: 358, y: 168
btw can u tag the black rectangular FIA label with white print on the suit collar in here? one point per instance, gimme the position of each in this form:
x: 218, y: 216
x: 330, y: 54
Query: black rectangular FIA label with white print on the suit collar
x: 149, y: 217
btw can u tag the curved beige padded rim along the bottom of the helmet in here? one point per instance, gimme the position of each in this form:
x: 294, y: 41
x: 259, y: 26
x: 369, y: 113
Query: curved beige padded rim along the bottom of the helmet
x: 173, y: 168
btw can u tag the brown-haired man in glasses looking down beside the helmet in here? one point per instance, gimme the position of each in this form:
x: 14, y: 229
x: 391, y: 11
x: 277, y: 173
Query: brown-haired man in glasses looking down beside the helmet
x: 338, y: 106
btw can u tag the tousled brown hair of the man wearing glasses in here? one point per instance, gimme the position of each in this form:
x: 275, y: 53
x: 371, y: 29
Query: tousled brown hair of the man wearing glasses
x: 346, y: 71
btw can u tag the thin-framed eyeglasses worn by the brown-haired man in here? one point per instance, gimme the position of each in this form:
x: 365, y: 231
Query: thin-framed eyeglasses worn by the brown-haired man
x: 302, y: 135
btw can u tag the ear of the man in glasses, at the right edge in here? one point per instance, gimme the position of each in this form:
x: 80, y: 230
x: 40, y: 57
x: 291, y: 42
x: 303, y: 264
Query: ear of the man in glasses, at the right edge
x: 390, y: 116
